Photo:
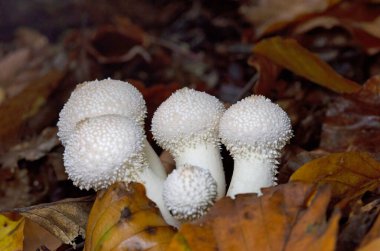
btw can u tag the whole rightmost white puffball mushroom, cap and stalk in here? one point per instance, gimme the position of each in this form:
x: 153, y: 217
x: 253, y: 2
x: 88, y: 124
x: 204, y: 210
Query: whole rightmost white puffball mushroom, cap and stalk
x: 254, y: 130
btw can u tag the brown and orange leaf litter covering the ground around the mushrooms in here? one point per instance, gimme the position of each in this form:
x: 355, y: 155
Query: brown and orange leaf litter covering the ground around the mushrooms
x: 318, y: 60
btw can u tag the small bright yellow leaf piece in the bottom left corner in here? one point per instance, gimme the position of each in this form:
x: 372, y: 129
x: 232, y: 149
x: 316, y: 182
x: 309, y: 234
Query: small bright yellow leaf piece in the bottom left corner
x: 11, y: 233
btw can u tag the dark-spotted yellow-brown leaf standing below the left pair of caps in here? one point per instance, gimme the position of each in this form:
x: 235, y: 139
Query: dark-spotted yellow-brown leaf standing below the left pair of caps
x: 124, y: 218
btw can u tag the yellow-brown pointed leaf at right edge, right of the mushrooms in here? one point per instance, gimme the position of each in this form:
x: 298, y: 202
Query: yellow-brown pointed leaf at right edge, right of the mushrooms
x: 350, y: 174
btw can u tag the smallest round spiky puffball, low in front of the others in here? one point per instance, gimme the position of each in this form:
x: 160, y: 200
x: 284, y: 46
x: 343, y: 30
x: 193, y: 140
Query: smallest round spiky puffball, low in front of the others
x: 189, y: 191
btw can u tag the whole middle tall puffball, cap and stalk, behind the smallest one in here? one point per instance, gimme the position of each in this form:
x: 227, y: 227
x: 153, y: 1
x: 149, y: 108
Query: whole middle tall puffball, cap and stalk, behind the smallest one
x: 186, y: 124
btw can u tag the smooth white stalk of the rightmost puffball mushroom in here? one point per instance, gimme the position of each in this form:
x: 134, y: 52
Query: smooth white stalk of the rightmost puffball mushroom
x: 252, y: 174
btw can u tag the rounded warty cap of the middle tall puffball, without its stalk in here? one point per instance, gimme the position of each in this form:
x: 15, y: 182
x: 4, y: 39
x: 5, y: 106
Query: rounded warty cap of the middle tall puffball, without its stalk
x: 186, y: 118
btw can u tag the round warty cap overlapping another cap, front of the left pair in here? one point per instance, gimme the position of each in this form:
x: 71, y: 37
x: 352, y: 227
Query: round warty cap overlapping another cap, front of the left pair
x: 103, y: 150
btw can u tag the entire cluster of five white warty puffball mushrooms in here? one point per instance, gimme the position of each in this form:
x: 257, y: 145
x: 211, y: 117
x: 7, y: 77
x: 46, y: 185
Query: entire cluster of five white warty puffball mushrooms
x: 101, y: 127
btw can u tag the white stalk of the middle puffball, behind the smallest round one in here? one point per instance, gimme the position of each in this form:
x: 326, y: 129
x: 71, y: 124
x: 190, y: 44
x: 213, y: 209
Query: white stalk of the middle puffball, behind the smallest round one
x: 207, y: 156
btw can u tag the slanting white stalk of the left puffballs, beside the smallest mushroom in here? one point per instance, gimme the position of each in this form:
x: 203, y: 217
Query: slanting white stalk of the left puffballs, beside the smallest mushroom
x: 154, y: 187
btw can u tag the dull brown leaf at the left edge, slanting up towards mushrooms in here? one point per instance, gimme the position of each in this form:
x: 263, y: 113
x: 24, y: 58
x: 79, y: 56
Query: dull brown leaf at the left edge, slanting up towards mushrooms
x: 17, y: 110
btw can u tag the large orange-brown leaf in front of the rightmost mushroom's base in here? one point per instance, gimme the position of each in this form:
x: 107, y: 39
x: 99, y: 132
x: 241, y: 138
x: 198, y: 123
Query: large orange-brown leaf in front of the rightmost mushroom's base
x: 286, y: 217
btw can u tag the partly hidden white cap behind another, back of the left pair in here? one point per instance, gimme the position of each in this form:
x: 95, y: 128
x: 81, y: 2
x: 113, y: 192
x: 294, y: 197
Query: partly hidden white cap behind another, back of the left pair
x: 100, y: 97
